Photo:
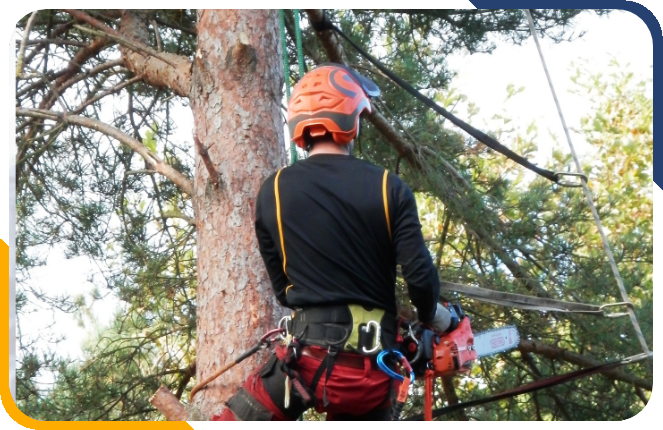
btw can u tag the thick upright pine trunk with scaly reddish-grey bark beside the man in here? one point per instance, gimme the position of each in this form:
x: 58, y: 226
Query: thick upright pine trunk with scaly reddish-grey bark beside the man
x: 236, y: 98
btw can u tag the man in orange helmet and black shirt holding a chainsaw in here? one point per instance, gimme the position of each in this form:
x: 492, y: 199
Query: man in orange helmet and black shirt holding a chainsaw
x: 331, y: 230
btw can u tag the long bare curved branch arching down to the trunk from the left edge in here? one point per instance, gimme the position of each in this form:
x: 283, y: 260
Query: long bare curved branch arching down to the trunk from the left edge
x: 159, y: 165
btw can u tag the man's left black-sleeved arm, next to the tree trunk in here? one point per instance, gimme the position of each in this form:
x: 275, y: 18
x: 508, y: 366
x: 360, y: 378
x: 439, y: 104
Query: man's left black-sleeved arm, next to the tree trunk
x: 269, y: 251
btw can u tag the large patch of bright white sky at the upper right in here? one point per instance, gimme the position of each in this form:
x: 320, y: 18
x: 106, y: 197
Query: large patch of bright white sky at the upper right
x: 484, y: 77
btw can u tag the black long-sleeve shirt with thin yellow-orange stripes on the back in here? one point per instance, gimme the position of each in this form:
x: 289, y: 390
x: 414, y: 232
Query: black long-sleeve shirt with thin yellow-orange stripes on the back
x: 334, y: 244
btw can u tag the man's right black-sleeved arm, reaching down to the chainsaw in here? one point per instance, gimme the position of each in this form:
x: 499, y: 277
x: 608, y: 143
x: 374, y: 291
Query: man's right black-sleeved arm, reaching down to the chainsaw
x: 416, y: 263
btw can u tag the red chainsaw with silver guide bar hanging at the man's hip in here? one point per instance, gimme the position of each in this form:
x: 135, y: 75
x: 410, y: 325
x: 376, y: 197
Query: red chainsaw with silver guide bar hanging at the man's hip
x: 453, y: 352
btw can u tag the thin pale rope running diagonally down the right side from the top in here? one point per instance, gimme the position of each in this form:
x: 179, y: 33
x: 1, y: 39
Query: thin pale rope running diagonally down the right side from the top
x: 588, y: 194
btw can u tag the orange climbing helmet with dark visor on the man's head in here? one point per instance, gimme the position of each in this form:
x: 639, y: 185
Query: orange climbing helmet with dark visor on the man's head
x: 329, y: 99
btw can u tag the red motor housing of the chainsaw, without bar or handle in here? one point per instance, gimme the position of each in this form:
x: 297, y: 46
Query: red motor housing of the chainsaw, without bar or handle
x: 455, y: 351
